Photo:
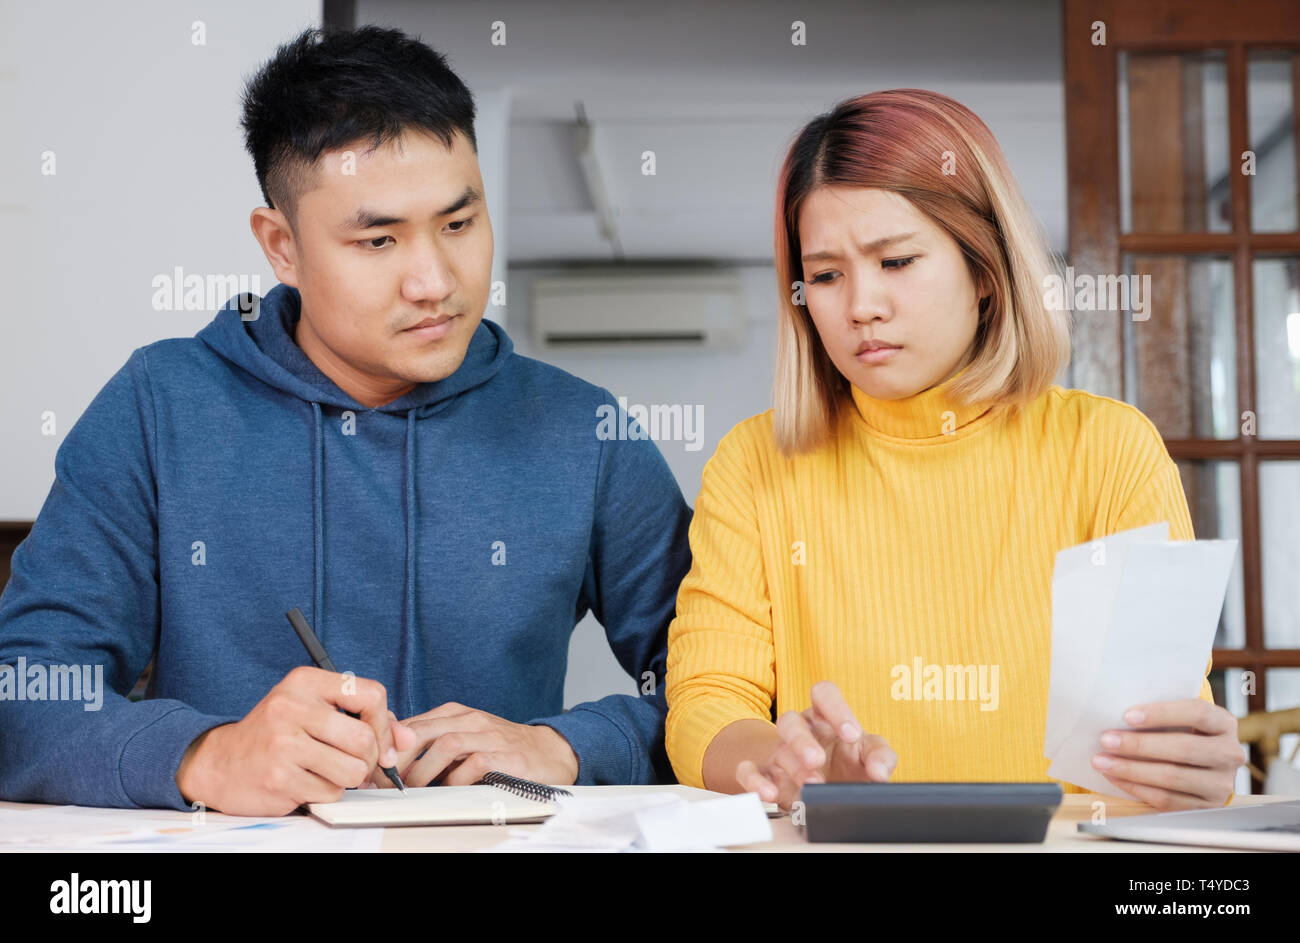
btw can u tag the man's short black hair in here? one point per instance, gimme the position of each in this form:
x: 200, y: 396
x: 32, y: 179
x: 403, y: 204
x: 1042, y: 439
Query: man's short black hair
x: 332, y: 88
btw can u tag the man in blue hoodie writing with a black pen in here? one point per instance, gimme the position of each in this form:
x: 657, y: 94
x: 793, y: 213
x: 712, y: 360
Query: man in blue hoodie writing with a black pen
x: 359, y: 444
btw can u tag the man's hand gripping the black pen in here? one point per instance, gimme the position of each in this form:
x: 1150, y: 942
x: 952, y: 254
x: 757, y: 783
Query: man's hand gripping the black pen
x: 294, y: 747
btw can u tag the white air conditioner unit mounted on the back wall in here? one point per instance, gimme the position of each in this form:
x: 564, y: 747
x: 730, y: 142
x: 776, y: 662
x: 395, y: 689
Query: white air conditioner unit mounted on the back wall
x: 658, y: 309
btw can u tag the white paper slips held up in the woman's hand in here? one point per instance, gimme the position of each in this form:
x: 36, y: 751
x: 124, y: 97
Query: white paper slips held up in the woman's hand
x: 1133, y: 622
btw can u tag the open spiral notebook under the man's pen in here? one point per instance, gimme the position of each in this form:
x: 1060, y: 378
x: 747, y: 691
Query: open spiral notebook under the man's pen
x: 497, y: 799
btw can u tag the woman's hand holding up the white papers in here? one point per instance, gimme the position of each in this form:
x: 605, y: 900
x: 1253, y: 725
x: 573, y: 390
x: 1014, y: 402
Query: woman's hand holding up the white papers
x: 1193, y: 767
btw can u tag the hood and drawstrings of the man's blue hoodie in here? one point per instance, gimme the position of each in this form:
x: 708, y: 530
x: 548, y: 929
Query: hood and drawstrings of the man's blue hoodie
x: 258, y: 336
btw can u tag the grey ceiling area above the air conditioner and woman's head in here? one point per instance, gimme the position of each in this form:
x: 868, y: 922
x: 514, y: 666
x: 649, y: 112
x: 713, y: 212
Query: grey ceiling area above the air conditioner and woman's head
x: 717, y: 92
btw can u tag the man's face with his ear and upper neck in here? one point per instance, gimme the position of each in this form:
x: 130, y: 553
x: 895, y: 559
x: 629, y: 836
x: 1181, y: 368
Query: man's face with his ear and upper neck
x: 385, y: 241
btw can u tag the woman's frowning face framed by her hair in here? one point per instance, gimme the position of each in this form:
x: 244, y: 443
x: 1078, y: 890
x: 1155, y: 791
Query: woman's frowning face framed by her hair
x: 878, y: 271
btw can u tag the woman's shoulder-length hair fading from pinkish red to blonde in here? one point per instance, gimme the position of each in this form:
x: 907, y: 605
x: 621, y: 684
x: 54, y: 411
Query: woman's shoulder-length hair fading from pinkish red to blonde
x: 939, y: 155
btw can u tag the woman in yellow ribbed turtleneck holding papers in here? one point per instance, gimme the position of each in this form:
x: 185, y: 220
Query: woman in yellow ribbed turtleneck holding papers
x: 903, y: 504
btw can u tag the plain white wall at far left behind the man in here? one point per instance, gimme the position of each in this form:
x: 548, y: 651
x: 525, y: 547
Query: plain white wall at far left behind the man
x: 150, y: 175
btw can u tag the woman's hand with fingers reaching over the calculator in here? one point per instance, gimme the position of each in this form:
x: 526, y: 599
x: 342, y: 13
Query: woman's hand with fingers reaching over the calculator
x: 822, y: 745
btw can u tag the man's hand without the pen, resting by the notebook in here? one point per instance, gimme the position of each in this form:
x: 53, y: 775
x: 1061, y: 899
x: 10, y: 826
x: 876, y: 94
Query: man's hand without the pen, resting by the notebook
x: 461, y: 745
